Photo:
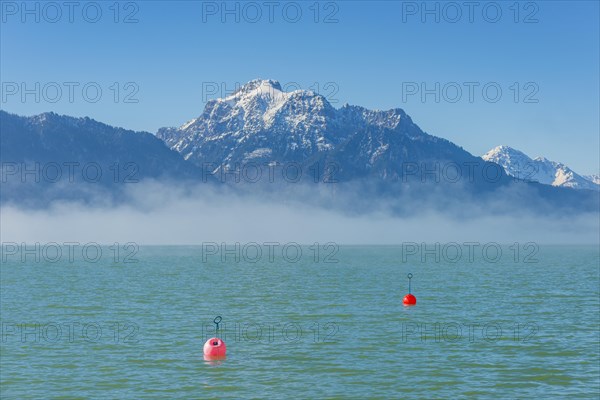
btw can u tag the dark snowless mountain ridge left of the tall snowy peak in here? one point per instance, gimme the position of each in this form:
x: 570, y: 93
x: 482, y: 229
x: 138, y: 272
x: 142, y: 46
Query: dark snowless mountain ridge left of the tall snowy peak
x: 51, y: 156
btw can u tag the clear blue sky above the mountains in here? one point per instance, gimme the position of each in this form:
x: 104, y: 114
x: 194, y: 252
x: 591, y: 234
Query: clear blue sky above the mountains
x: 373, y: 54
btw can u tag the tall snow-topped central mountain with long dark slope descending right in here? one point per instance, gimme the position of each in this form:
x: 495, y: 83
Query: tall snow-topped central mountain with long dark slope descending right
x: 377, y: 156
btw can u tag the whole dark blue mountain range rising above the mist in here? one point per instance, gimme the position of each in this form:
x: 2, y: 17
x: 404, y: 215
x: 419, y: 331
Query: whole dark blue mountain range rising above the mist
x: 375, y: 155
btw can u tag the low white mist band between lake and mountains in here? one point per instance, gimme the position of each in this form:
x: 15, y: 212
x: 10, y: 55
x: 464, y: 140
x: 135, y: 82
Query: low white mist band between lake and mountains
x: 159, y: 213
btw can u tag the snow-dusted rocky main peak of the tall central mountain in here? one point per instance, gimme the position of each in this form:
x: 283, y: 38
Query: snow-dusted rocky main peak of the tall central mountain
x: 238, y: 124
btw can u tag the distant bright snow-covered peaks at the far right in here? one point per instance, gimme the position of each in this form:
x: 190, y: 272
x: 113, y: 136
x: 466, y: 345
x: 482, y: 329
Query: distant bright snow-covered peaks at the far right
x: 539, y: 169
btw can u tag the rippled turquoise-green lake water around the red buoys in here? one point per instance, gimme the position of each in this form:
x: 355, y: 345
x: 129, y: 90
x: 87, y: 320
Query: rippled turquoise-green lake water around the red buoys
x: 329, y: 324
